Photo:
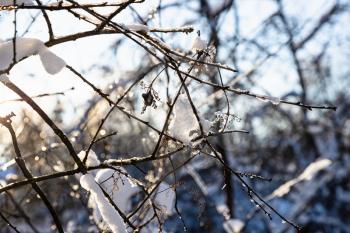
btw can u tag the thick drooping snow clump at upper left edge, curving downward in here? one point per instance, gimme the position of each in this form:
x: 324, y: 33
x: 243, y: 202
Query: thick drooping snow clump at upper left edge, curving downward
x: 26, y: 47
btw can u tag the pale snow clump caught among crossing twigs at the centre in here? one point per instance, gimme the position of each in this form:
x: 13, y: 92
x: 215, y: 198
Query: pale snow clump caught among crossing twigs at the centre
x: 185, y: 124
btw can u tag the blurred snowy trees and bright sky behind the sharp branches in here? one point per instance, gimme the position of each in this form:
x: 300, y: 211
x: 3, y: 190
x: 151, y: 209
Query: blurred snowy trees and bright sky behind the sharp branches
x: 293, y: 50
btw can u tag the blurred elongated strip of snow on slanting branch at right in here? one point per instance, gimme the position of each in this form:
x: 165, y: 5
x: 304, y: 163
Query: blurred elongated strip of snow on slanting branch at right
x: 309, y: 172
